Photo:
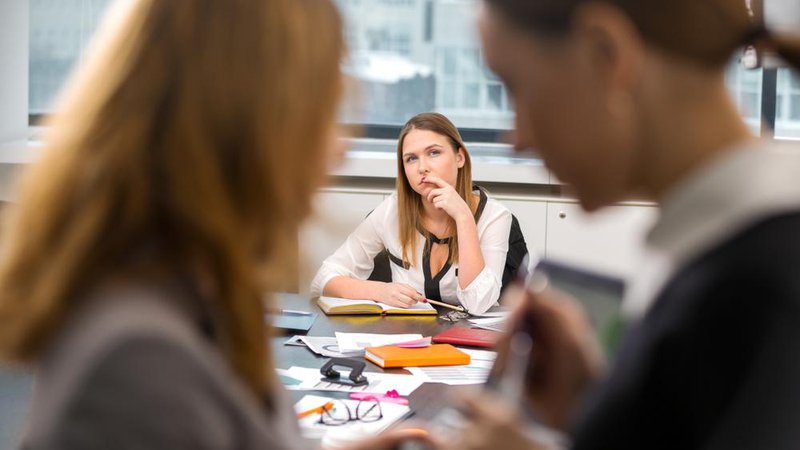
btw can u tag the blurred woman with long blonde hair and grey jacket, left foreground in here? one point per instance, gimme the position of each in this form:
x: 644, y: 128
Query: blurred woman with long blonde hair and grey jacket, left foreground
x: 175, y: 171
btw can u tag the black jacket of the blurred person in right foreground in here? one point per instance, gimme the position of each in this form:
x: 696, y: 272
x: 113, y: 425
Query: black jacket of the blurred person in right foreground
x: 715, y: 363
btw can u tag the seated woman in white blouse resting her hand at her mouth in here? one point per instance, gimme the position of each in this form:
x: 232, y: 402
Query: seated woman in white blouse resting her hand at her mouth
x: 444, y: 238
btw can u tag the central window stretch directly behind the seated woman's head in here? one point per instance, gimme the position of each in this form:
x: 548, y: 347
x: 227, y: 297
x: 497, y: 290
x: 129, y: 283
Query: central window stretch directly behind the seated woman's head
x: 421, y: 55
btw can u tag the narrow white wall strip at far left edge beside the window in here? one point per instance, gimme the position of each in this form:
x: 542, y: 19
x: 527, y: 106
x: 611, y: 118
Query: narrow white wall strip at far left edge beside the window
x: 13, y: 70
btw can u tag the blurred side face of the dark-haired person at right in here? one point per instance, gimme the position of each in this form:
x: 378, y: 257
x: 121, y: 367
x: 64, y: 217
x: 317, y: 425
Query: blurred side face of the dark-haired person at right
x: 562, y: 109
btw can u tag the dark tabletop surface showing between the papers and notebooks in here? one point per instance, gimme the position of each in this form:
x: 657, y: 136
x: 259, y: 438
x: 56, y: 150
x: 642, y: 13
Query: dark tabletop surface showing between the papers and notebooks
x: 425, y: 402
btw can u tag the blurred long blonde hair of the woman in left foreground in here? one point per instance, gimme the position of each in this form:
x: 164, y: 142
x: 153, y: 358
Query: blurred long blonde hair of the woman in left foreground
x: 196, y: 130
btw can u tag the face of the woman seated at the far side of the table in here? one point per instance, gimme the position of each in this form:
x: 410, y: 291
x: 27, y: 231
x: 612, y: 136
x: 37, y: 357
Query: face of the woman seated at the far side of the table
x: 430, y: 153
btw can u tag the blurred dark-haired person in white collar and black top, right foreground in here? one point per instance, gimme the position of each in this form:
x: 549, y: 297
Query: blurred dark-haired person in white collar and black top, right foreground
x: 712, y: 358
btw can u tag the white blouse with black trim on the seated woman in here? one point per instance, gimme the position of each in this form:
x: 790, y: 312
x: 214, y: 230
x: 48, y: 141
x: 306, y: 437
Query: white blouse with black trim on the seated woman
x: 380, y: 230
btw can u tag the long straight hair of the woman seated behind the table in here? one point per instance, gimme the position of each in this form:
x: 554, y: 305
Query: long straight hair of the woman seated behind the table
x: 409, y: 202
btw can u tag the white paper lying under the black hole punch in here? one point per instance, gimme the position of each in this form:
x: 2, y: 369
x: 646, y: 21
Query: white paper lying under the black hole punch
x: 379, y: 383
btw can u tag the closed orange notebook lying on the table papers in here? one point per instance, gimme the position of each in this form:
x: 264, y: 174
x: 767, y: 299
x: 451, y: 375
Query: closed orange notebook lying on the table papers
x: 434, y: 355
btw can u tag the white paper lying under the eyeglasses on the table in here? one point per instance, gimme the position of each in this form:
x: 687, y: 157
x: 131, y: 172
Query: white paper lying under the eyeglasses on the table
x: 311, y: 428
